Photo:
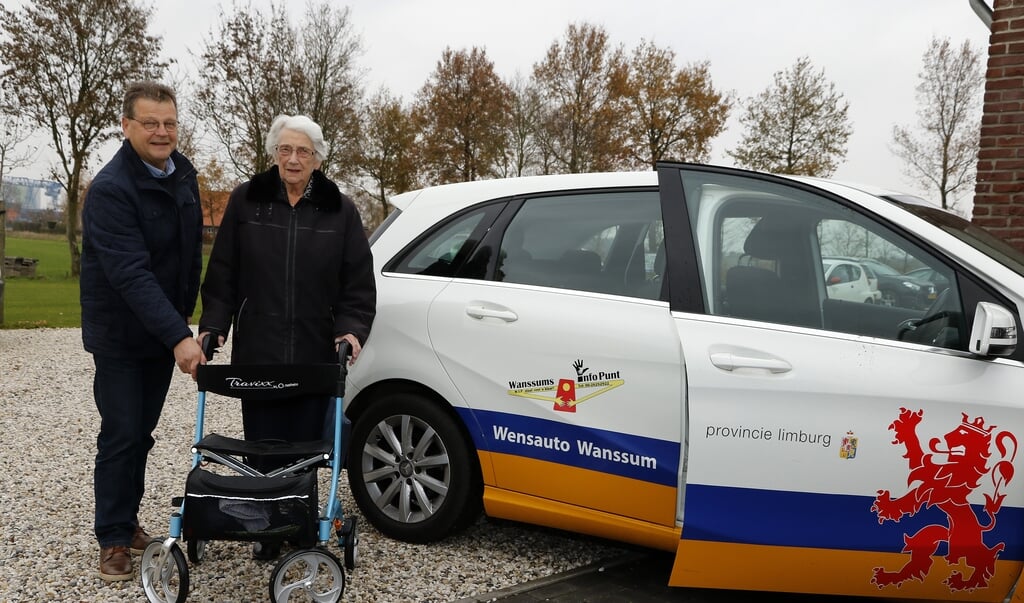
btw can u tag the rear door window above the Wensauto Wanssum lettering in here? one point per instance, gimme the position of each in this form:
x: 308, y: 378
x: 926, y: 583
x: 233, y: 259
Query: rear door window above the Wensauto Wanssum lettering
x: 602, y: 242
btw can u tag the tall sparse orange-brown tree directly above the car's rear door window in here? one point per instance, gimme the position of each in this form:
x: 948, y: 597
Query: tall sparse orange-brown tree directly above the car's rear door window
x: 579, y: 128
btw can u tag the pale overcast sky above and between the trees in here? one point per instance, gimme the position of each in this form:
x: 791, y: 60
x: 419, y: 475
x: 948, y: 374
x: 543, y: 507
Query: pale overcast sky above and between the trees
x: 871, y: 50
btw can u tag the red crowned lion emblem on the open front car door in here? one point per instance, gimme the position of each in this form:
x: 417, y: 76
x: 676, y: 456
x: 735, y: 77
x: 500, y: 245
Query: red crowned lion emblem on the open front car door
x: 947, y: 486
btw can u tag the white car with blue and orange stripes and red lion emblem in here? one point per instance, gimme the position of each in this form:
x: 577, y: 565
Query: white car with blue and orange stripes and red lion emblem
x: 654, y: 358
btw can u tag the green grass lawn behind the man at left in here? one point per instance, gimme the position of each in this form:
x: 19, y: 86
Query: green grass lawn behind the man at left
x: 50, y: 299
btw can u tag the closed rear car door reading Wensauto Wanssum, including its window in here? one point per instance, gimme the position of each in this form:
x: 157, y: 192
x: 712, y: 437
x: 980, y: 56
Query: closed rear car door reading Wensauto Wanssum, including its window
x: 569, y: 362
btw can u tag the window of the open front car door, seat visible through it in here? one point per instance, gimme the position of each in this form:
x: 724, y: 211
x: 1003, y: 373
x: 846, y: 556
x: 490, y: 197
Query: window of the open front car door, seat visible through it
x: 771, y: 252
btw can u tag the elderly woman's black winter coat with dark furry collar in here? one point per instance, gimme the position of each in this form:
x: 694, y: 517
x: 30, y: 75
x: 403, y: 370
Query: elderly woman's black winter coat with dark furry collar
x: 289, y: 280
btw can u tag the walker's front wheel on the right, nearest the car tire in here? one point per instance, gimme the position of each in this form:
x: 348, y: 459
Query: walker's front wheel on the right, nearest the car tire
x: 314, y: 572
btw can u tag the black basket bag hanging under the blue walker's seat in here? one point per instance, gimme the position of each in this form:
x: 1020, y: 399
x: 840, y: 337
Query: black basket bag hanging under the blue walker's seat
x: 242, y: 508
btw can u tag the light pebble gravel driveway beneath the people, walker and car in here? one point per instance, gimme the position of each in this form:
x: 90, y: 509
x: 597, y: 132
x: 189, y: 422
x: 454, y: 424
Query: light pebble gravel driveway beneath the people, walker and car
x: 49, y: 426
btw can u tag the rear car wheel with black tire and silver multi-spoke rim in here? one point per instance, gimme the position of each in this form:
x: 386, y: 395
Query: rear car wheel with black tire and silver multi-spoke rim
x: 425, y: 492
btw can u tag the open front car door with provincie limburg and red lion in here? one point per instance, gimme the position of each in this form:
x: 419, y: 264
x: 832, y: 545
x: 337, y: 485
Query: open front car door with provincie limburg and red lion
x: 830, y: 449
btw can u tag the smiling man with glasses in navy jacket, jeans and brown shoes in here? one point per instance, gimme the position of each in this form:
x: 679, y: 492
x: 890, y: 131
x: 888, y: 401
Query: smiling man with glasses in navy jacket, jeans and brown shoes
x: 142, y: 259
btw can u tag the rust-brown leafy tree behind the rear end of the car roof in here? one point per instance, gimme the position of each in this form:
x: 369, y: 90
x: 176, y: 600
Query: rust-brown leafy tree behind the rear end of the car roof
x: 461, y: 113
